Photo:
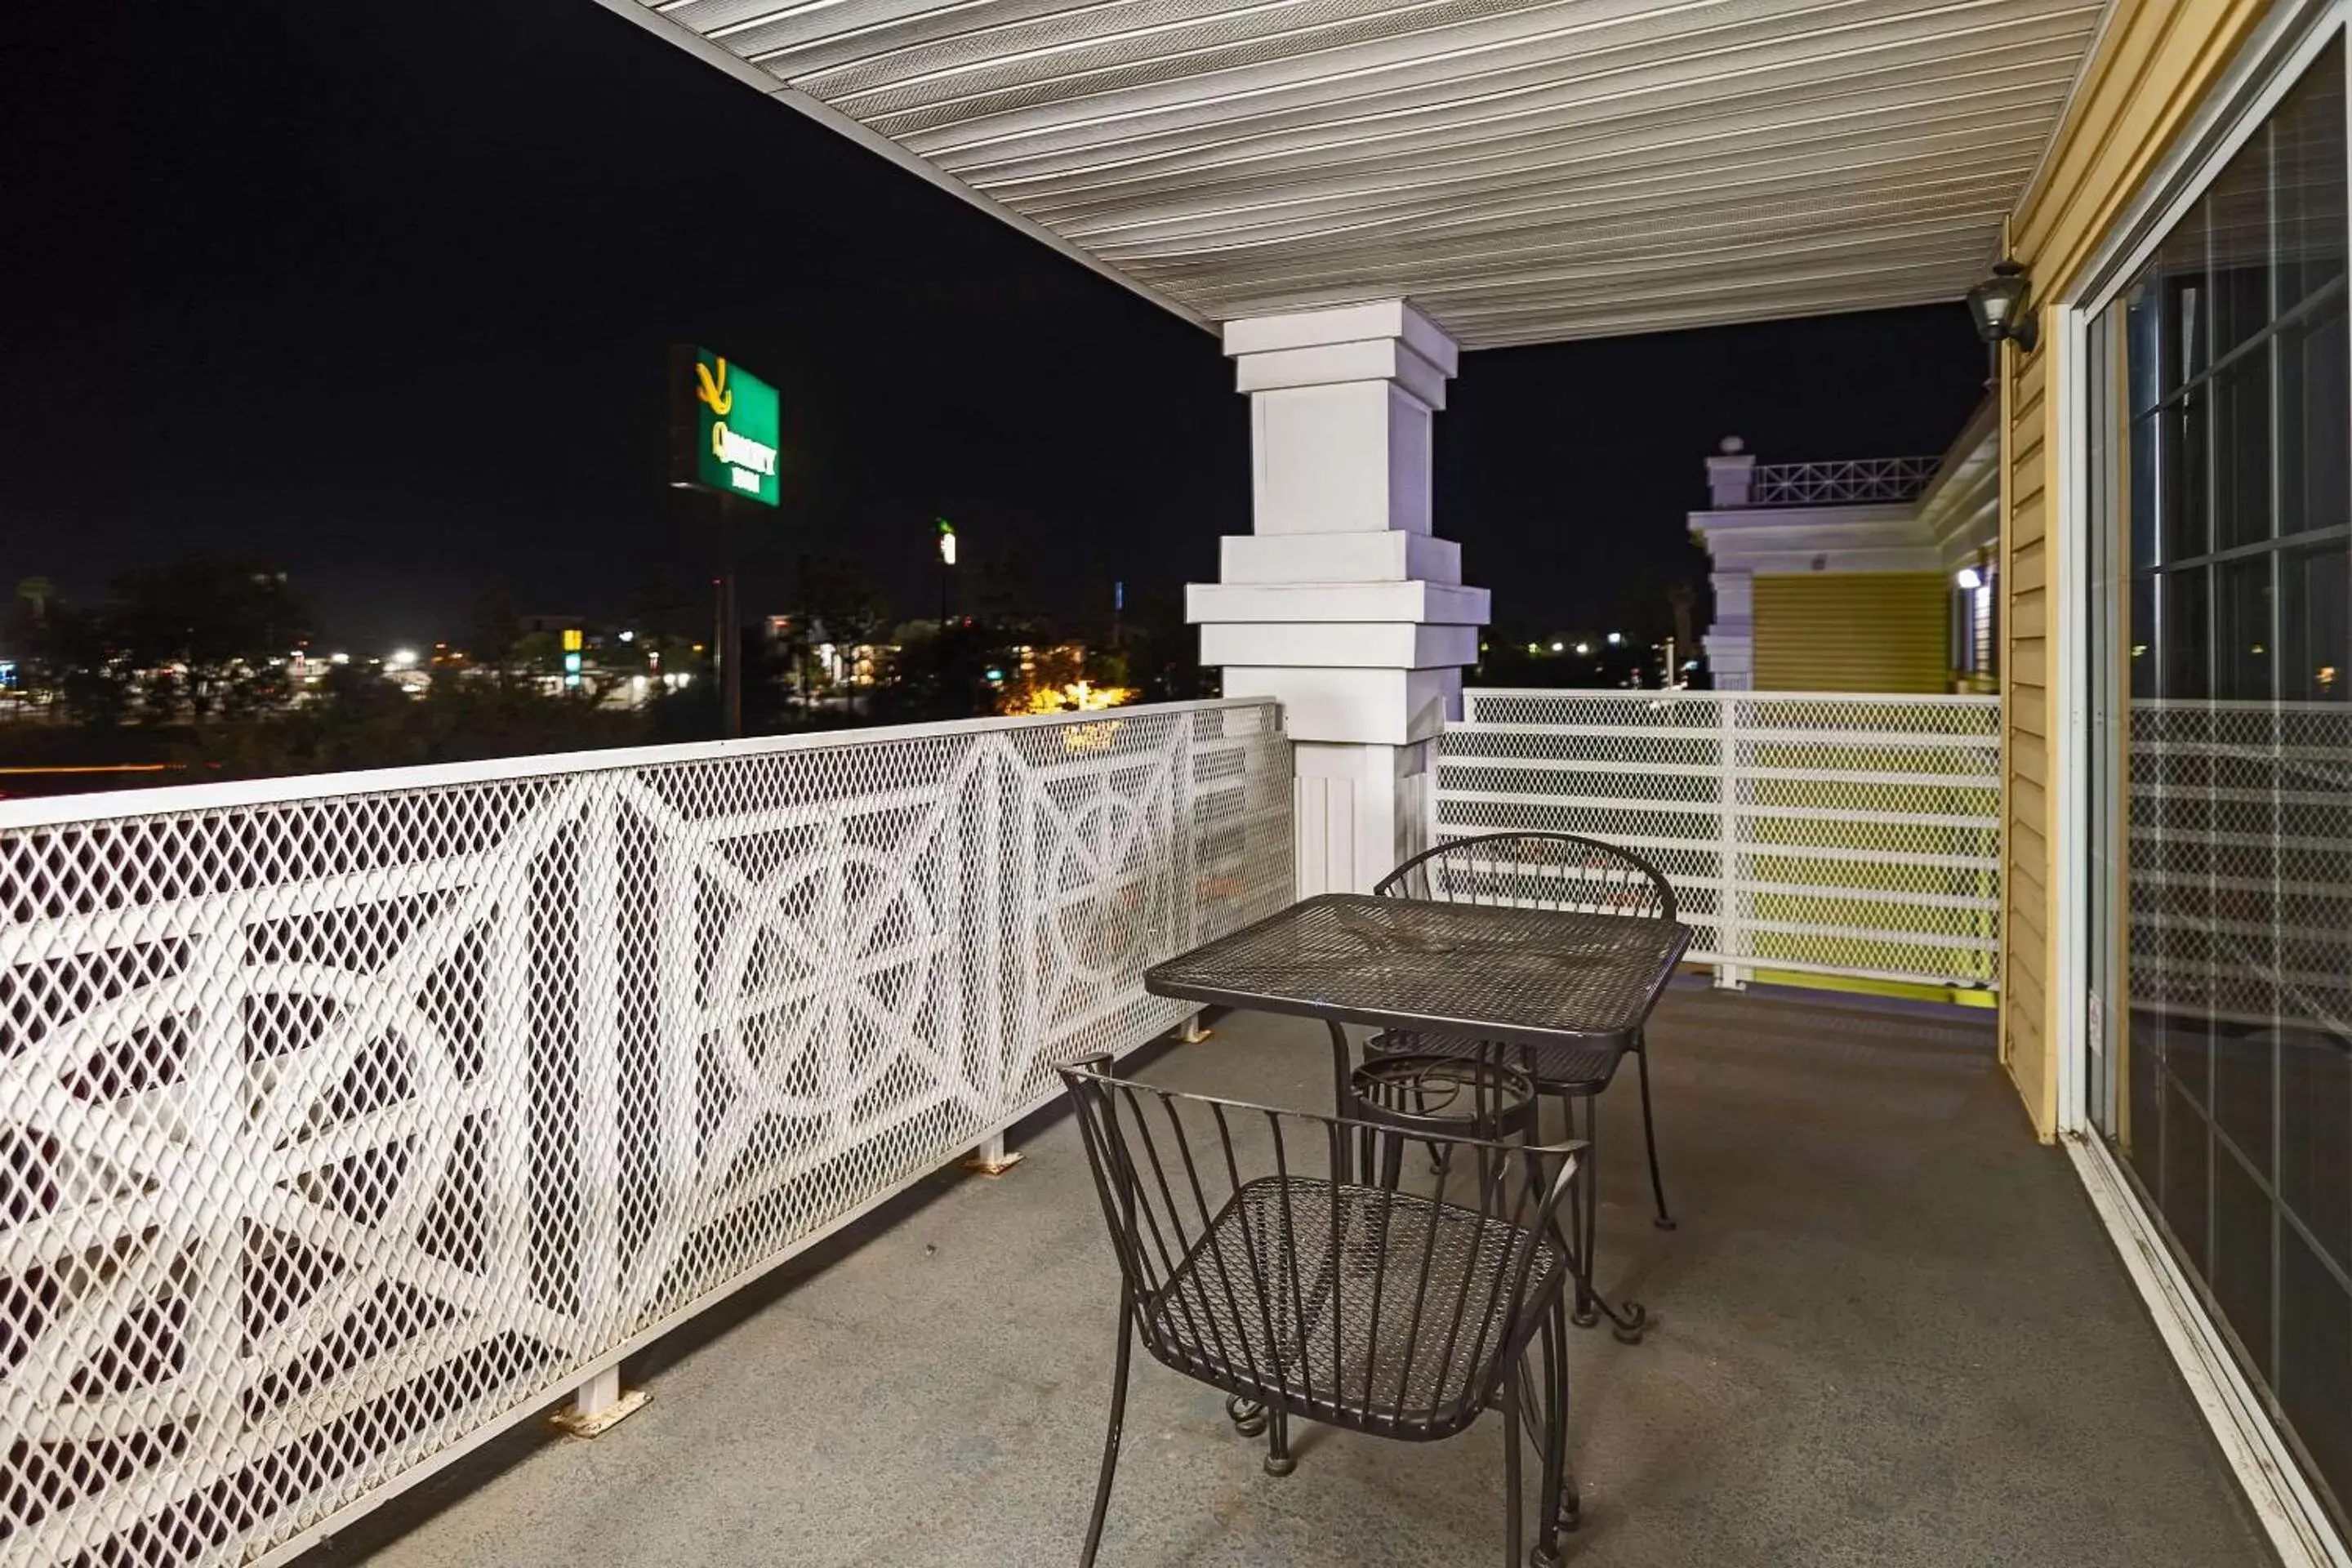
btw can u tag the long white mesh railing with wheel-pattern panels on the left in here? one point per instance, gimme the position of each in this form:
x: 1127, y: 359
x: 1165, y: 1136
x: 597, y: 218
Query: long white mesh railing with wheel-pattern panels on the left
x: 349, y: 1120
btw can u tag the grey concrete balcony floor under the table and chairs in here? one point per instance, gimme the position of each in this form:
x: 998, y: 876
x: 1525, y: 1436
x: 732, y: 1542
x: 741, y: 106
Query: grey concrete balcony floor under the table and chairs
x: 1890, y: 1332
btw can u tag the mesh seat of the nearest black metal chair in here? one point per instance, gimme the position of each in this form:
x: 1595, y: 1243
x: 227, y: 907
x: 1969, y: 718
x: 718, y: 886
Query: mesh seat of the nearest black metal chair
x: 1354, y: 1306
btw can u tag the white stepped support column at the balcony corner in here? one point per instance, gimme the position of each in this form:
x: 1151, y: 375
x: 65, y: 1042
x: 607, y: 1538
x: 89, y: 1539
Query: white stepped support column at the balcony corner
x: 1342, y: 605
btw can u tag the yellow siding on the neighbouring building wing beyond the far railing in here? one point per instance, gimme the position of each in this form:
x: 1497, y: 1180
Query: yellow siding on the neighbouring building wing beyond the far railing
x: 1852, y: 631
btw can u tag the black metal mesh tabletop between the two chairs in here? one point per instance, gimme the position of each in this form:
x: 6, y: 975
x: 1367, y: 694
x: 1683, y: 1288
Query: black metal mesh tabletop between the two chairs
x: 1525, y: 977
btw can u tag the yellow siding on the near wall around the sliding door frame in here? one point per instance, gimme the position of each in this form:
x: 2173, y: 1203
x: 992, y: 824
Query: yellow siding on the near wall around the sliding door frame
x: 2153, y: 69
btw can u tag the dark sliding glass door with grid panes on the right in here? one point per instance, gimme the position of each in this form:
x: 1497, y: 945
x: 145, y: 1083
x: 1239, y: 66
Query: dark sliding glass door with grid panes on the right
x: 2221, y: 756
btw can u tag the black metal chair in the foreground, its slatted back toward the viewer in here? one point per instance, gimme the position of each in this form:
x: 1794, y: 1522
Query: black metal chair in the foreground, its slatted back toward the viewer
x: 1250, y: 1261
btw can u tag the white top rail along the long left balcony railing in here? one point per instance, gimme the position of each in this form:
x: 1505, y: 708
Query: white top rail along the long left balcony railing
x: 114, y: 805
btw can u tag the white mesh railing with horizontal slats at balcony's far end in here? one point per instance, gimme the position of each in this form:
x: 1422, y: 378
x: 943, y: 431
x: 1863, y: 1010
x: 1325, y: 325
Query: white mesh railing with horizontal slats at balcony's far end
x: 1817, y: 833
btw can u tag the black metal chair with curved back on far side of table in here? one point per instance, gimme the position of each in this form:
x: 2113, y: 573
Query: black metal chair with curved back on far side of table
x: 1549, y: 871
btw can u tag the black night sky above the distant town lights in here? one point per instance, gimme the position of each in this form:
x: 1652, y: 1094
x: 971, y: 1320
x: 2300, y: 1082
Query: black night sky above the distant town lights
x: 380, y: 293
